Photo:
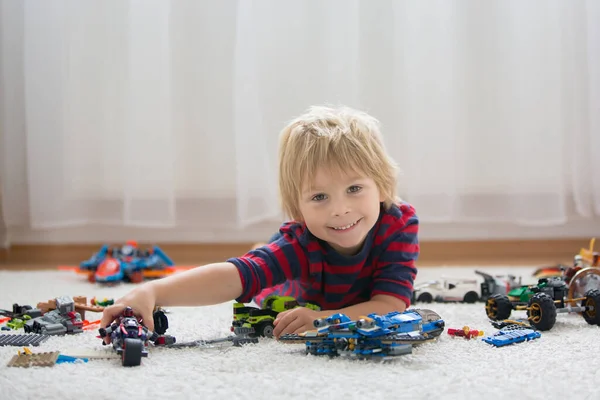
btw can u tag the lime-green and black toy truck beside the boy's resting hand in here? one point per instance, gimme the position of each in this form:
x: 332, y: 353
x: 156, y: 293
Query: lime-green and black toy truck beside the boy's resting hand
x: 255, y: 321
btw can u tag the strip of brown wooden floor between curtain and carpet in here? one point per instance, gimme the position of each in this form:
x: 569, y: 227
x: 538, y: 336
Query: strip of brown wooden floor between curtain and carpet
x: 433, y: 253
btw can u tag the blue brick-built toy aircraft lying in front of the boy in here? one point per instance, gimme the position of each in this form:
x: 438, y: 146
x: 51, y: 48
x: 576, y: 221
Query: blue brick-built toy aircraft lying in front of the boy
x: 372, y: 336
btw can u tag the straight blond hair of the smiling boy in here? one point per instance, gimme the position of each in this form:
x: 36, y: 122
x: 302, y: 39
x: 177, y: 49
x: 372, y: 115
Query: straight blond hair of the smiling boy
x: 332, y: 137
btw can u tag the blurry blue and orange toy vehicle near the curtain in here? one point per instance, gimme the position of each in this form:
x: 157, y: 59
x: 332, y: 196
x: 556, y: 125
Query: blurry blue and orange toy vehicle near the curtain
x: 127, y: 263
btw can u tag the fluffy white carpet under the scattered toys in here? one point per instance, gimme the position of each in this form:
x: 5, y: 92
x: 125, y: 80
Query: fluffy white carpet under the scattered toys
x: 563, y: 363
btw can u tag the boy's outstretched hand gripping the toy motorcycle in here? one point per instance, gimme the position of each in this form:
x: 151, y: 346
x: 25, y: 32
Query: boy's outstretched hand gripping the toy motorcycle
x: 141, y: 300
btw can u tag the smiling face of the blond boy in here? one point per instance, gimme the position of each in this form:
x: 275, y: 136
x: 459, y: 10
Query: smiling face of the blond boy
x: 340, y: 208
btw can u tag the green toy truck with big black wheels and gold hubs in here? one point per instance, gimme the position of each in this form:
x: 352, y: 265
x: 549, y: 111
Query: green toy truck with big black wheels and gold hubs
x: 543, y: 302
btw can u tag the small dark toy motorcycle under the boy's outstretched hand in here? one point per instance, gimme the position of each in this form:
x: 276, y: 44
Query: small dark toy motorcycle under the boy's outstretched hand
x: 129, y: 338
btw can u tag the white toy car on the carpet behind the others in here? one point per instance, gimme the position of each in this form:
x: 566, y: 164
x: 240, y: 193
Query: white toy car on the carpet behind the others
x: 468, y: 290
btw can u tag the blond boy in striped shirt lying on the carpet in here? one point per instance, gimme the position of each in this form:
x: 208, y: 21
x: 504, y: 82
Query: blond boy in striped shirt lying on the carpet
x: 351, y: 247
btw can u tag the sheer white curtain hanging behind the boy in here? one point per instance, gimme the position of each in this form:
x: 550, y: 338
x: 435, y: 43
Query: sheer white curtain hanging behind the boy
x: 165, y: 114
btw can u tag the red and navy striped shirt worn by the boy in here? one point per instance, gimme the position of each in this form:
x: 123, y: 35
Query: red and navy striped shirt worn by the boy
x: 296, y: 263
